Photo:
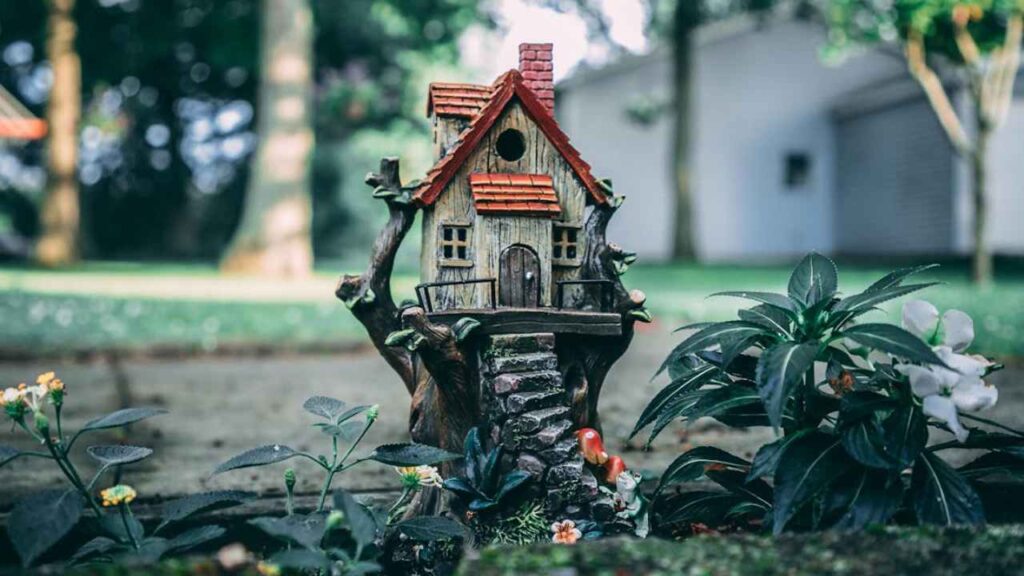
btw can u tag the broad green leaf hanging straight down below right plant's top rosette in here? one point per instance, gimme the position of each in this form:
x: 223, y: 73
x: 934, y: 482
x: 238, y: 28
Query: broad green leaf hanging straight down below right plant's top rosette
x: 780, y: 371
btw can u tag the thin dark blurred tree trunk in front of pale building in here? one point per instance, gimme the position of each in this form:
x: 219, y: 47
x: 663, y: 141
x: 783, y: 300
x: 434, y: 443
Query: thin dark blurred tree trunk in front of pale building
x: 687, y: 19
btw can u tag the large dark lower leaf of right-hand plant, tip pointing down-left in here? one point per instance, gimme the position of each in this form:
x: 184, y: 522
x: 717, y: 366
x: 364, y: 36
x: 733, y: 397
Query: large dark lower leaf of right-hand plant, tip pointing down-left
x: 808, y: 466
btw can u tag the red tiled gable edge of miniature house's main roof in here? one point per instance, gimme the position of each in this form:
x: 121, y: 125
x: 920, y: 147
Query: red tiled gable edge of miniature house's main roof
x: 508, y: 86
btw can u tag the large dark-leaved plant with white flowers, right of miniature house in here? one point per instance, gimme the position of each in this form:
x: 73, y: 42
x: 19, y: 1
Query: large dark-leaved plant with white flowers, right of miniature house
x: 851, y: 403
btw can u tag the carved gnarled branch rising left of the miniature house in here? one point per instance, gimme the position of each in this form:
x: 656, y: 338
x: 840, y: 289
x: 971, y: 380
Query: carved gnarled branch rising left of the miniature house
x: 369, y: 295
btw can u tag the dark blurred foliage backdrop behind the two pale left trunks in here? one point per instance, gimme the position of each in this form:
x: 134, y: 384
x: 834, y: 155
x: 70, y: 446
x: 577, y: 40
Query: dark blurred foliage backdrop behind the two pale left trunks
x: 169, y: 91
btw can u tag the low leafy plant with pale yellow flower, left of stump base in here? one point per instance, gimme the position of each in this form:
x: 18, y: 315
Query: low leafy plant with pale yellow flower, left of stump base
x: 349, y: 539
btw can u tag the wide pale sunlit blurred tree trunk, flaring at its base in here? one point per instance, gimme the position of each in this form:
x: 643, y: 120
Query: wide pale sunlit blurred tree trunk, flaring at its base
x: 274, y: 237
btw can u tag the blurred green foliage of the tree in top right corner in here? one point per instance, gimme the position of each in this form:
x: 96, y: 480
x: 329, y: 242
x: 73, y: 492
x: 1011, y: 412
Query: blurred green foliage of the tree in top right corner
x: 869, y: 22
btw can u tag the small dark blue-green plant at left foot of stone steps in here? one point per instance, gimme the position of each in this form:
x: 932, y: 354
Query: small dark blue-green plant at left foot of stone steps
x: 485, y: 487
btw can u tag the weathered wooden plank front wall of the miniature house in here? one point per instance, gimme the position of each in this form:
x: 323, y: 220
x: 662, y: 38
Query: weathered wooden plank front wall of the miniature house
x: 492, y: 235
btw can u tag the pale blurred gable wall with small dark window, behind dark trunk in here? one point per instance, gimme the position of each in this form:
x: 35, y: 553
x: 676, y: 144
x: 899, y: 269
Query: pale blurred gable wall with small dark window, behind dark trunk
x: 760, y: 95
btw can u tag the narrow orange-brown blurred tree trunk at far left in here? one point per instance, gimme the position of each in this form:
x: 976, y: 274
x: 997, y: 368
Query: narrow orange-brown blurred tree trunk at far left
x: 58, y: 243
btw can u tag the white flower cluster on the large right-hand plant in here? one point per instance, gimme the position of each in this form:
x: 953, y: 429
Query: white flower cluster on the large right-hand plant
x: 946, y: 393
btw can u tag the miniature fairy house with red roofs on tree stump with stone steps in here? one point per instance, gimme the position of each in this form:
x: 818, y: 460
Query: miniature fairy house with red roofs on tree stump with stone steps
x: 522, y: 312
